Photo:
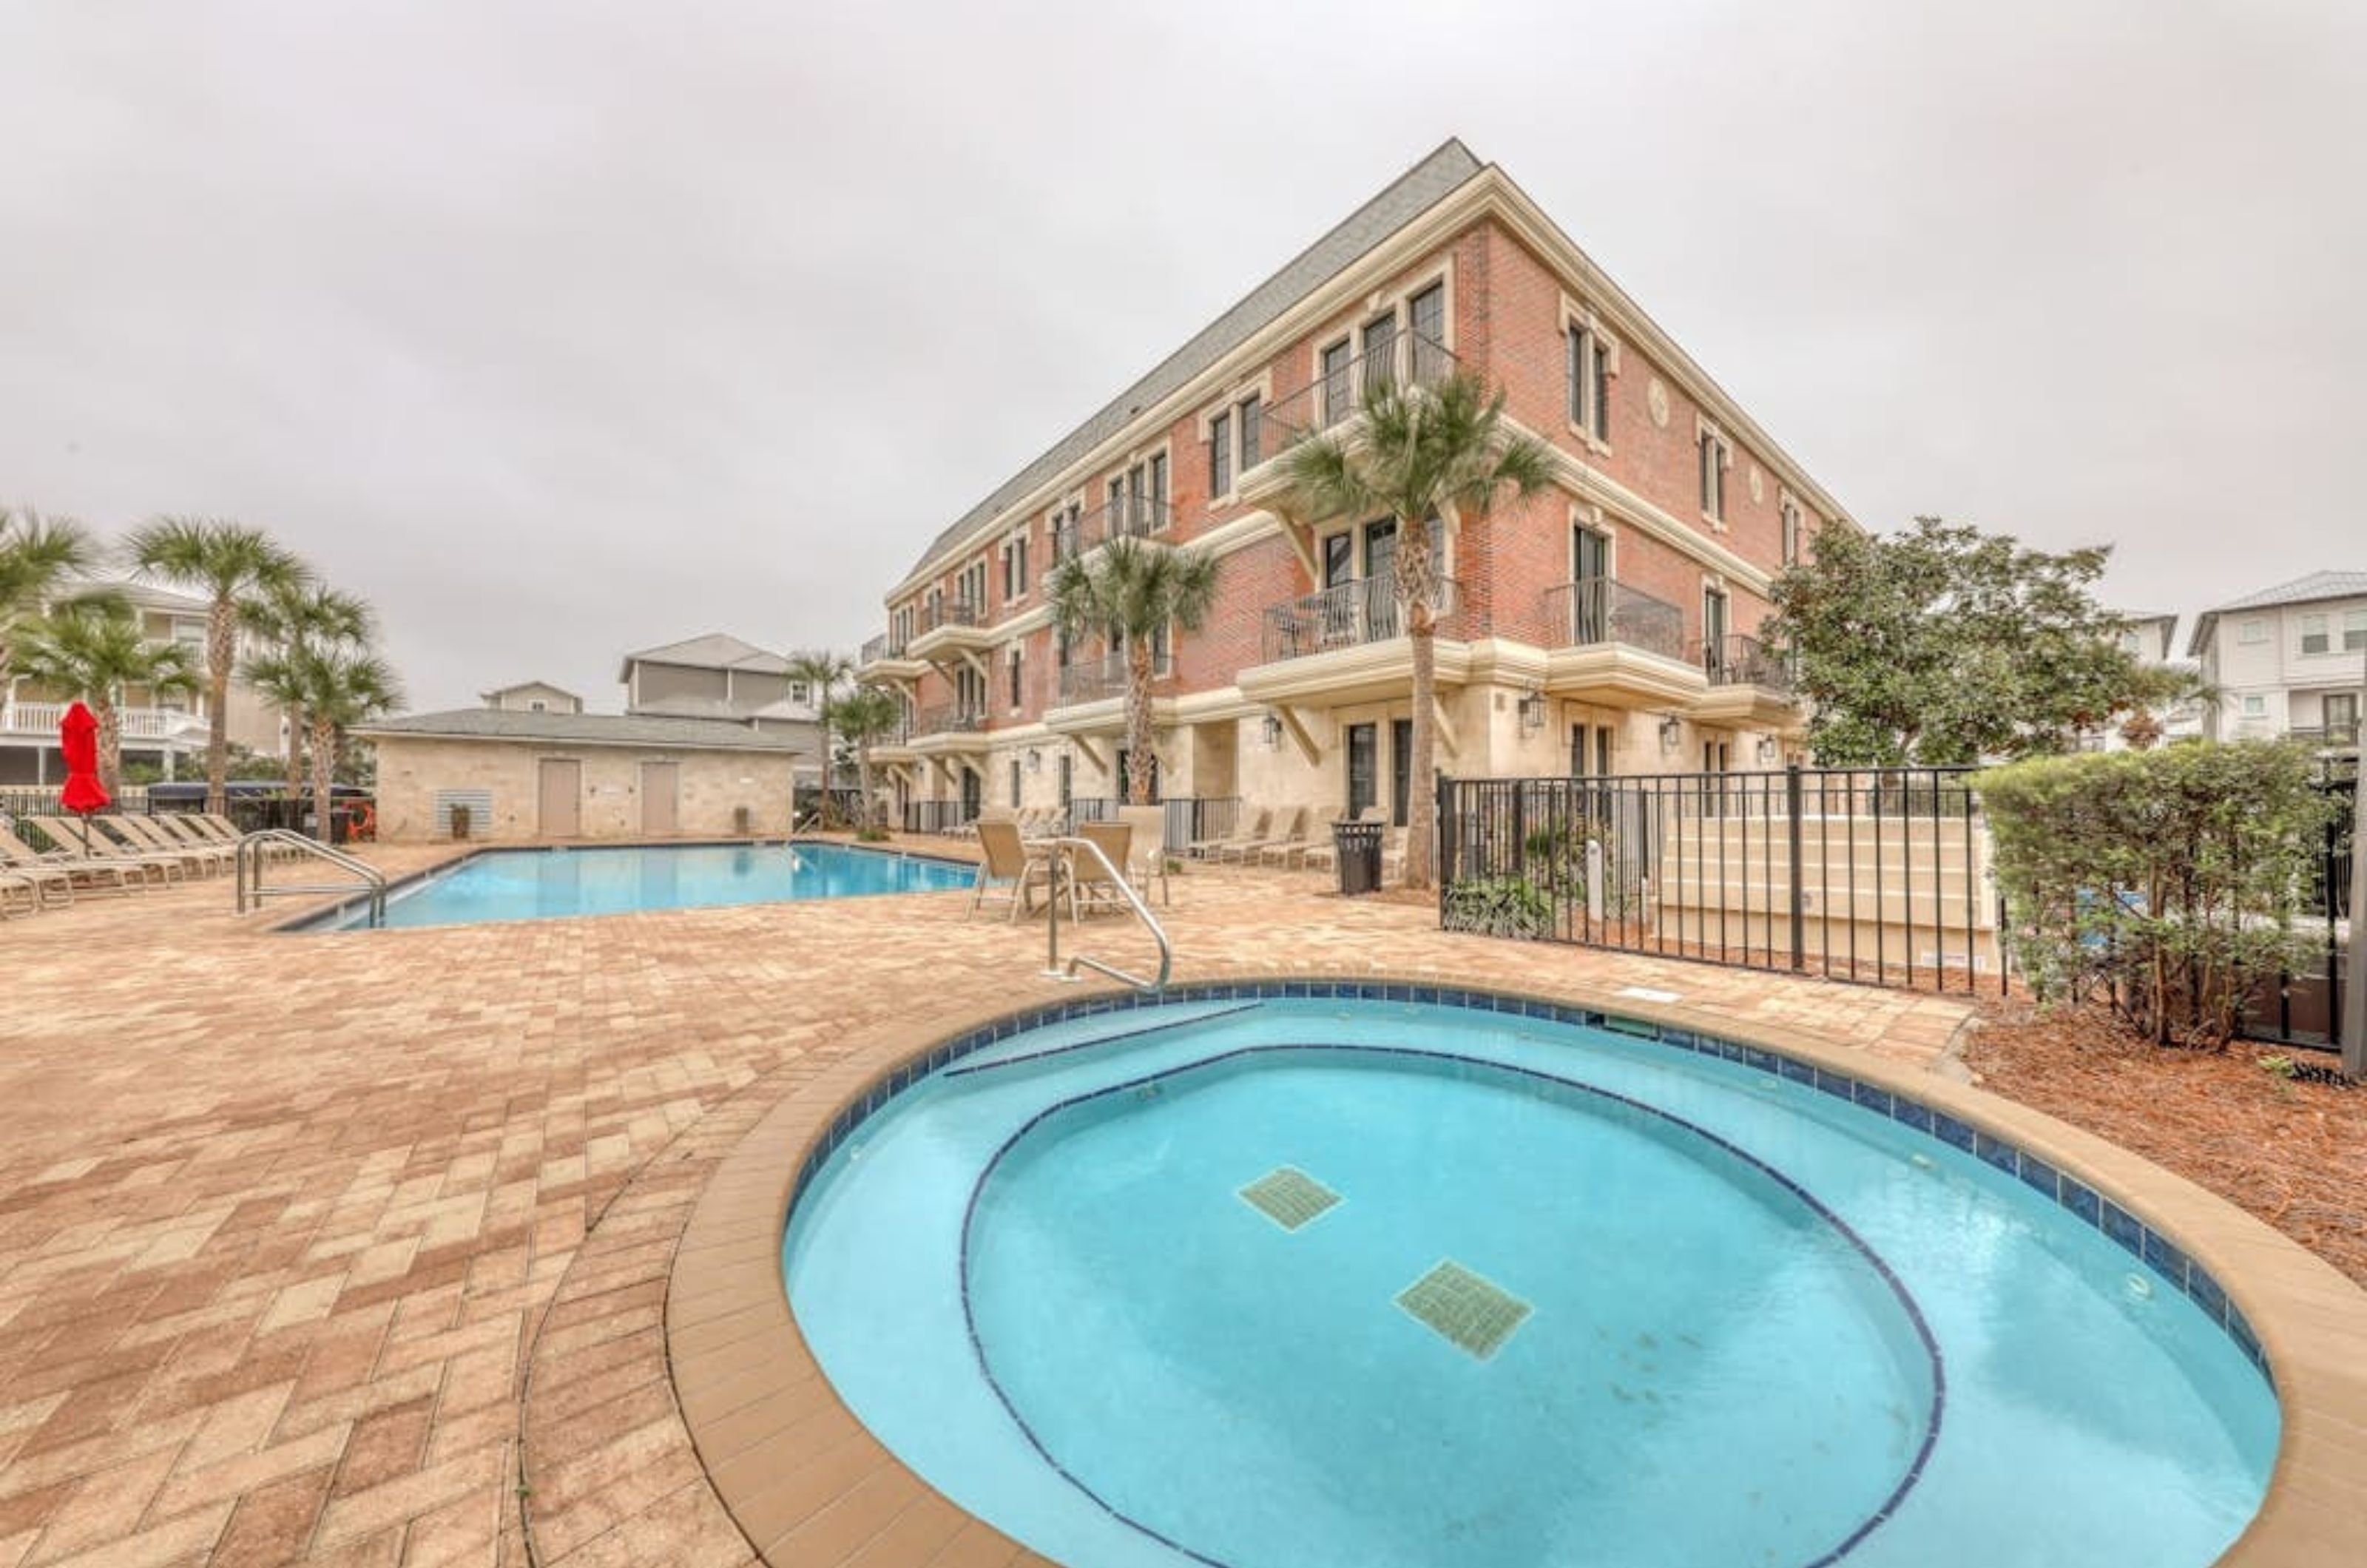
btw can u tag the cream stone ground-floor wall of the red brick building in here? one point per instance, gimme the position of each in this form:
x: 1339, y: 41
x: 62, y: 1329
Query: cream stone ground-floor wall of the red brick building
x: 1301, y: 754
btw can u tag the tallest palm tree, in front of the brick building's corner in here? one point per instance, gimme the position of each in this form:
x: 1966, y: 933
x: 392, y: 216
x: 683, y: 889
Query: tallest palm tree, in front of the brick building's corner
x: 1421, y: 456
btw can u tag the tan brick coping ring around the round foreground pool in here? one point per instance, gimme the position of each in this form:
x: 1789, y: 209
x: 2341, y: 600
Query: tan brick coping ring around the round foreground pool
x: 811, y: 1486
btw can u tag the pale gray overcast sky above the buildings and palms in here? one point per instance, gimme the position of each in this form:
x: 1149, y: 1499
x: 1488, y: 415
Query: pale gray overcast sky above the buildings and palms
x: 562, y: 330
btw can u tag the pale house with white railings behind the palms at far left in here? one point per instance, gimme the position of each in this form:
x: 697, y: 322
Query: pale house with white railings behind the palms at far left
x: 162, y: 733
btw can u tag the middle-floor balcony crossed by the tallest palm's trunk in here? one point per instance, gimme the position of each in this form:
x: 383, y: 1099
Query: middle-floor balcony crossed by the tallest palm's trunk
x: 1350, y: 643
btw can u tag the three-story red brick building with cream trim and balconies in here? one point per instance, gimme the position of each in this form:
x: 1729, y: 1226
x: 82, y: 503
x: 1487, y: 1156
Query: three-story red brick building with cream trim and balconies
x: 1606, y: 626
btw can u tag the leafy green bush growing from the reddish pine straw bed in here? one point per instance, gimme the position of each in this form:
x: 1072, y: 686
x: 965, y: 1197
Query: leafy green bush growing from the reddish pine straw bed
x: 2162, y: 880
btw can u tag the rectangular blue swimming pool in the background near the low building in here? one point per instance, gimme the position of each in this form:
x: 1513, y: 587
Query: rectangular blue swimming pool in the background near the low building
x: 553, y: 882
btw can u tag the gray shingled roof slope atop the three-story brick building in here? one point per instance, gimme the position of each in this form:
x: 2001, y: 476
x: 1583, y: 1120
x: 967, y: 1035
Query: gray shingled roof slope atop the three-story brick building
x: 1365, y: 231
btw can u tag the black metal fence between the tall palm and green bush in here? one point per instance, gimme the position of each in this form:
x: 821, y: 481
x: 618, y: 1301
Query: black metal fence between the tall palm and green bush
x: 1852, y: 873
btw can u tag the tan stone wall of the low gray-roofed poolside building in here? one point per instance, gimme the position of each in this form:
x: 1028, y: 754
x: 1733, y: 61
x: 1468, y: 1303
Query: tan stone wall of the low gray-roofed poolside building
x: 714, y: 788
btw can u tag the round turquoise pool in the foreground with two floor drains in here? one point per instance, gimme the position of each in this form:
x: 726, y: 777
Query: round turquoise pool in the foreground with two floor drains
x: 1324, y: 1280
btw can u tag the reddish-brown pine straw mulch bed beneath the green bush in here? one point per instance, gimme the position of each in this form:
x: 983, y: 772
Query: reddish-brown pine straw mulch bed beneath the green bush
x: 2288, y: 1152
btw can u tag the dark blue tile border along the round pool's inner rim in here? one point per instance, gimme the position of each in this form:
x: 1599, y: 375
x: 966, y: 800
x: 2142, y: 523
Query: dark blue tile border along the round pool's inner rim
x: 2148, y: 1247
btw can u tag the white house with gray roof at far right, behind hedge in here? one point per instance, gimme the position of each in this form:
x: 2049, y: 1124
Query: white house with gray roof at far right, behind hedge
x: 2288, y: 662
